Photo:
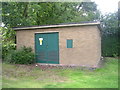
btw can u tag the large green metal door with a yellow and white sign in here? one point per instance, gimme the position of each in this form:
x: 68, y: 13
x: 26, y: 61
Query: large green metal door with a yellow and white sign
x: 47, y: 48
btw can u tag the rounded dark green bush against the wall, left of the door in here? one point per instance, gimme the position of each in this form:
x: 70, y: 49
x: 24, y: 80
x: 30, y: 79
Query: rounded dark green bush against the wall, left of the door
x: 21, y: 56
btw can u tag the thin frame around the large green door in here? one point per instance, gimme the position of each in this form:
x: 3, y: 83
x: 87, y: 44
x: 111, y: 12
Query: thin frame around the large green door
x: 46, y: 33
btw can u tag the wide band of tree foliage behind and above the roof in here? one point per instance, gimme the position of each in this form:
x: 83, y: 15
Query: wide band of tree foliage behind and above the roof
x: 42, y: 13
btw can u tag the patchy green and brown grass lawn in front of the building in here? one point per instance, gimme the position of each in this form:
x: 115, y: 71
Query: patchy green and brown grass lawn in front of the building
x: 29, y: 76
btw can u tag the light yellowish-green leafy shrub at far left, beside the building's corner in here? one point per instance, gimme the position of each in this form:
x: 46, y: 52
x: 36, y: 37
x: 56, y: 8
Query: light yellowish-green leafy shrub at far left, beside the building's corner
x: 7, y: 40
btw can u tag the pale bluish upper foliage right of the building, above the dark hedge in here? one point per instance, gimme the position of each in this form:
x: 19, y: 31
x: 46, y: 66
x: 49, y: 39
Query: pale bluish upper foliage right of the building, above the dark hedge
x: 110, y: 23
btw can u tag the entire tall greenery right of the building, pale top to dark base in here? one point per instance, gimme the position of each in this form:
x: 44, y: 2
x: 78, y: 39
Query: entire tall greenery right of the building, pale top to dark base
x: 110, y: 44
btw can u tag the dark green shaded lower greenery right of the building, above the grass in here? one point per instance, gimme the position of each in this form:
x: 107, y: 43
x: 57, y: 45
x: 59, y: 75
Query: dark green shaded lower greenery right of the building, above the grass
x: 110, y: 46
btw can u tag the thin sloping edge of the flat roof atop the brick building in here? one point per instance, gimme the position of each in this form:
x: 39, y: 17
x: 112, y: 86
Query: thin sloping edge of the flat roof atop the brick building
x: 57, y: 26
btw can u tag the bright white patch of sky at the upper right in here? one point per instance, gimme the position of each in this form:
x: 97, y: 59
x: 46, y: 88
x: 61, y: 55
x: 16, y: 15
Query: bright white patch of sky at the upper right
x: 107, y: 6
